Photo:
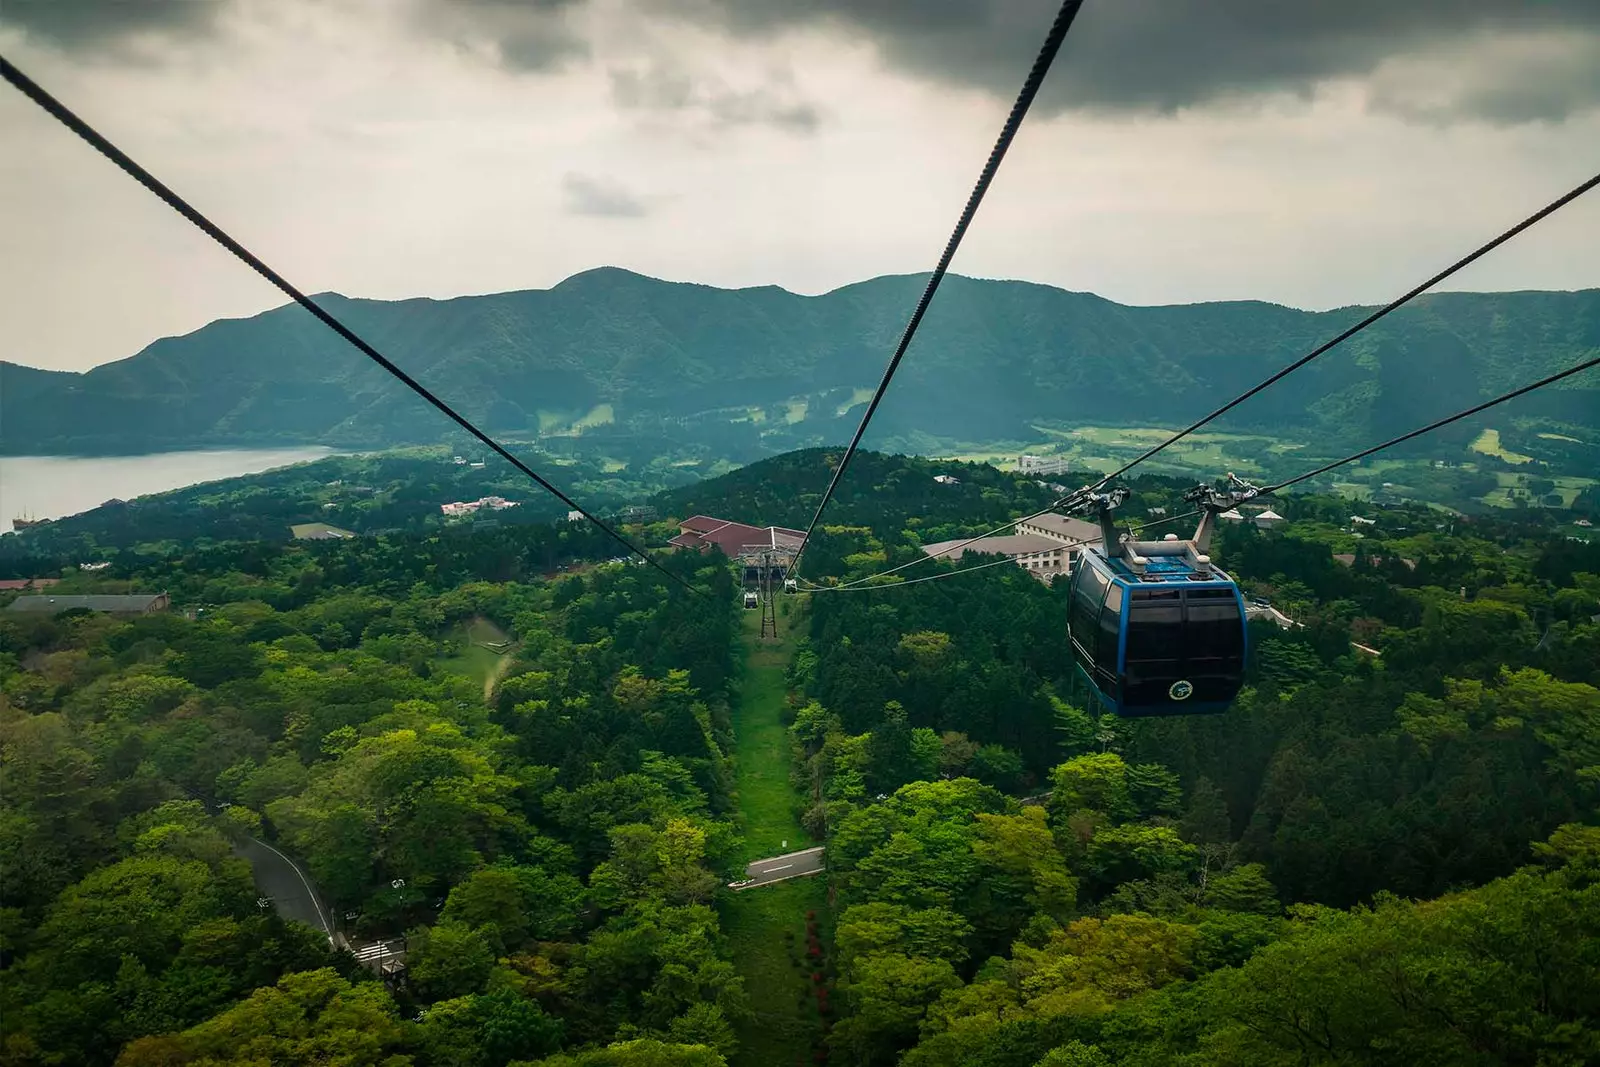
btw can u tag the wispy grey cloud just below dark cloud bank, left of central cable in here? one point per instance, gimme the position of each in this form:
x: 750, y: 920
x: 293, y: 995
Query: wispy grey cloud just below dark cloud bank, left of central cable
x: 662, y: 87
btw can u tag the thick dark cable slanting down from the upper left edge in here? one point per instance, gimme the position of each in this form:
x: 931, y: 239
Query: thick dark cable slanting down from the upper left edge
x: 78, y: 126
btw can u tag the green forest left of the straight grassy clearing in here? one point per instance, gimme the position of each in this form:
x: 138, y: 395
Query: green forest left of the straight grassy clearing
x: 551, y: 857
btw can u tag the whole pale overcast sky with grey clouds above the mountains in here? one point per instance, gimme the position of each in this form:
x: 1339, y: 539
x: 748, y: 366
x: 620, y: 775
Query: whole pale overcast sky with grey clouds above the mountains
x: 1314, y: 154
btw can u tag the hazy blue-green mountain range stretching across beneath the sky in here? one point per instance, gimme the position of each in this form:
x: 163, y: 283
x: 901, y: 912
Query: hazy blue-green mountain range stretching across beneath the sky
x: 646, y: 366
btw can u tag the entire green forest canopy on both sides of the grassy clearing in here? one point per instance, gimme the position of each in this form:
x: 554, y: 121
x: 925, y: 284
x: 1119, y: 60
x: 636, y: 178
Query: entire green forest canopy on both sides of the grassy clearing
x: 1367, y: 860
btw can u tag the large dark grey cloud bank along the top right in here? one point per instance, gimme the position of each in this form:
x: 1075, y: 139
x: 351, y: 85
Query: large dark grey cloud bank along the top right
x: 1164, y: 55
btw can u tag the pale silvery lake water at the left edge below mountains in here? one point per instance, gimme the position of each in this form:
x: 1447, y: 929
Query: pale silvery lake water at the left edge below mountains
x: 50, y: 487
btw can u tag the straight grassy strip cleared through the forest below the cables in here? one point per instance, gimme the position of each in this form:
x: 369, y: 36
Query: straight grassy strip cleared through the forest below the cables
x: 767, y: 927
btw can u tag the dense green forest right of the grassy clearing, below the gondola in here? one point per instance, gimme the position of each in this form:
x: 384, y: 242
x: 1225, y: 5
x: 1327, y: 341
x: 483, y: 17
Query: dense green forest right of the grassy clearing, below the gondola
x: 1367, y: 860
